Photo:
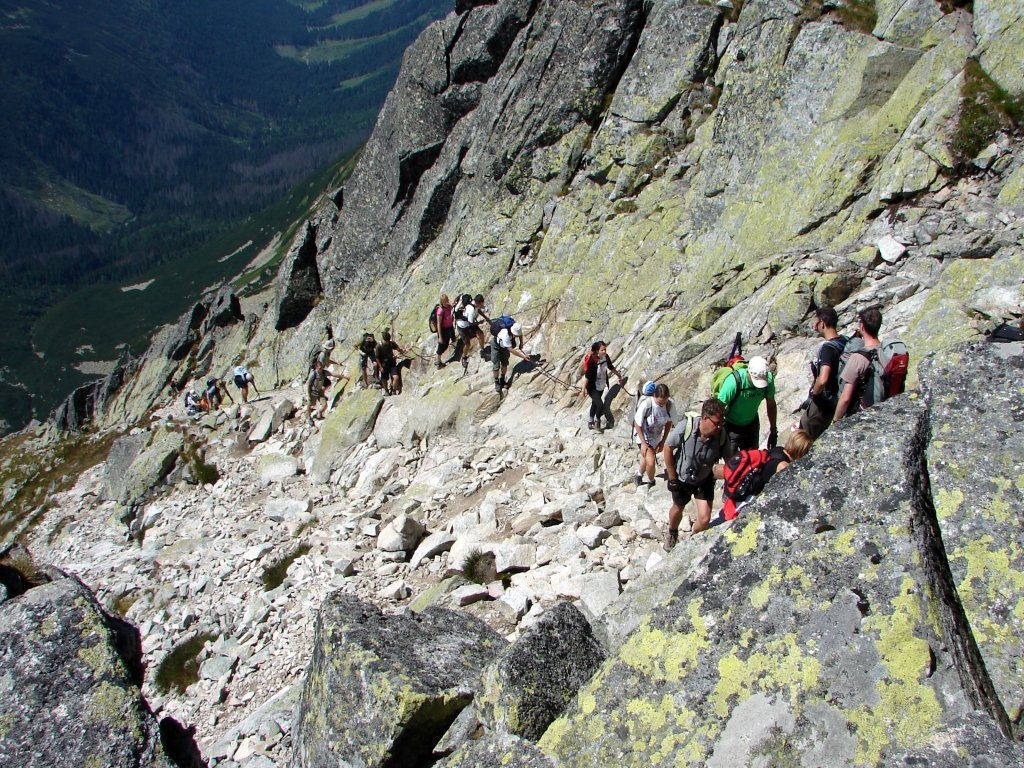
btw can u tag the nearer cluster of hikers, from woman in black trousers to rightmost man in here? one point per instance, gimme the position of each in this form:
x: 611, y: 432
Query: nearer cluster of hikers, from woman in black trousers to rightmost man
x: 720, y: 443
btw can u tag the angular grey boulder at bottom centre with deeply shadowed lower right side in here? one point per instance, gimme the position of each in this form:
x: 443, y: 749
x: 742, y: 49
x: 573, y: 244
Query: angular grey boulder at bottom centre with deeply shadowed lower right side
x: 381, y: 691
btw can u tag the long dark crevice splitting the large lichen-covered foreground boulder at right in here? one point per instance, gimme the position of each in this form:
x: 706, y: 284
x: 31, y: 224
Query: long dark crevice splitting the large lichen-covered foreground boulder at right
x: 967, y: 658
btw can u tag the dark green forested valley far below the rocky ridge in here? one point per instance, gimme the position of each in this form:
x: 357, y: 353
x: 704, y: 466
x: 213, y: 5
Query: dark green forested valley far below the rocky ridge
x: 142, y: 138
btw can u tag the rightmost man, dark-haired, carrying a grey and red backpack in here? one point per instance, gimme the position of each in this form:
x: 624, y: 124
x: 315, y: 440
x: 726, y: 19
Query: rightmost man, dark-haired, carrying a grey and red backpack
x: 872, y: 371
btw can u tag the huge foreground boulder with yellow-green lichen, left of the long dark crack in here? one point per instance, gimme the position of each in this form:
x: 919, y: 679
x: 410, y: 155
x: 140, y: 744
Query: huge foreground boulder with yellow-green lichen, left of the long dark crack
x: 823, y: 627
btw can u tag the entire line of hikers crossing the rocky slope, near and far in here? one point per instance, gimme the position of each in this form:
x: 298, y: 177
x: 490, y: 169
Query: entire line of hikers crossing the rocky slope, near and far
x: 719, y: 443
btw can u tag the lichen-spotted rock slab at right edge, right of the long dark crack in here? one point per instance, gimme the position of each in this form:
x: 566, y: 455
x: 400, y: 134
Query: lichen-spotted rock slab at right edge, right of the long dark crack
x: 976, y: 462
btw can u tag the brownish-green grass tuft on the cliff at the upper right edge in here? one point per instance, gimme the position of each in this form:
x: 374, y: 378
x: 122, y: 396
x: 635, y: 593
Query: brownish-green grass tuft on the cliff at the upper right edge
x: 986, y: 109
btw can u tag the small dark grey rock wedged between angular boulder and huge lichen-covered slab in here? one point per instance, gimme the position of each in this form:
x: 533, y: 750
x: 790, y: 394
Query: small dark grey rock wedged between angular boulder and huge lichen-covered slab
x: 532, y: 682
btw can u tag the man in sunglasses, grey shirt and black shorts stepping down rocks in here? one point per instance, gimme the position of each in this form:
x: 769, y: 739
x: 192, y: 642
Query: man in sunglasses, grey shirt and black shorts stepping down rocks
x: 691, y: 454
